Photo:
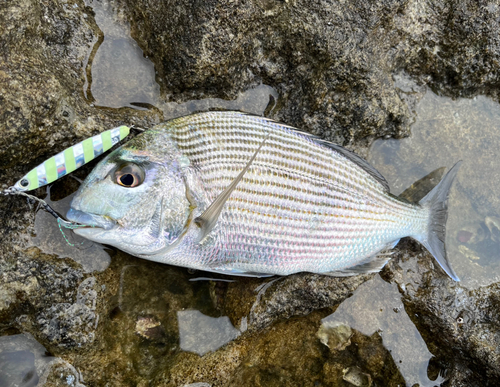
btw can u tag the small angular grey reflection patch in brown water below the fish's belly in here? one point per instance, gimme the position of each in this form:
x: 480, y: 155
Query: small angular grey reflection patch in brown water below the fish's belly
x: 201, y: 334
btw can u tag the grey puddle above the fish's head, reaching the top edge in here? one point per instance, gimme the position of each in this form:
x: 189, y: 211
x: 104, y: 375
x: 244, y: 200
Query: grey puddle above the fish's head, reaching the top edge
x: 119, y: 75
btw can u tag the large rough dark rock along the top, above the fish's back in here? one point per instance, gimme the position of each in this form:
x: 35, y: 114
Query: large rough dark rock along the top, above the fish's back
x: 331, y: 62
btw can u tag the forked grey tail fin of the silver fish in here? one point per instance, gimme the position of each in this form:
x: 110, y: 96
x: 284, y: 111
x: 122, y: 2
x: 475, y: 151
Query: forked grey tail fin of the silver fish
x: 437, y: 201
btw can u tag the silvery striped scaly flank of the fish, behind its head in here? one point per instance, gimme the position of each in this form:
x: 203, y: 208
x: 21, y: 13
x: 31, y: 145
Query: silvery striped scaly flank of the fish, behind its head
x: 270, y: 206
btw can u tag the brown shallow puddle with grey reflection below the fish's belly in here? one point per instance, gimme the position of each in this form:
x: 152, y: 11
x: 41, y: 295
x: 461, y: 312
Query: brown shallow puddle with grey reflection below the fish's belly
x: 160, y: 313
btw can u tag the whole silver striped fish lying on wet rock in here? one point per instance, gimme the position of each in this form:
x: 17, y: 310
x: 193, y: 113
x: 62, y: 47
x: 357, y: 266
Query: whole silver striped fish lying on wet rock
x: 239, y: 194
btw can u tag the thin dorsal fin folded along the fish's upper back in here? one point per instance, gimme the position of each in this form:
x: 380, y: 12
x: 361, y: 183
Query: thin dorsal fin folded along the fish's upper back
x: 363, y: 164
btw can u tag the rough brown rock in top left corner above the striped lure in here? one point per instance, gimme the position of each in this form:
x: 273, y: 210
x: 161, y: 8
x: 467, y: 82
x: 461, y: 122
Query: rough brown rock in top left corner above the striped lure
x: 43, y: 51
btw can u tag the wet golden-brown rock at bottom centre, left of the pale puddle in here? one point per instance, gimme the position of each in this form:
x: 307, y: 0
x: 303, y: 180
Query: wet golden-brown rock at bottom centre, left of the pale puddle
x: 287, y: 354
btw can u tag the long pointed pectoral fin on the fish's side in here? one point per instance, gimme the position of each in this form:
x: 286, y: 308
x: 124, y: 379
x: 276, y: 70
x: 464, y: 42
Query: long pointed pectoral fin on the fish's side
x: 207, y: 220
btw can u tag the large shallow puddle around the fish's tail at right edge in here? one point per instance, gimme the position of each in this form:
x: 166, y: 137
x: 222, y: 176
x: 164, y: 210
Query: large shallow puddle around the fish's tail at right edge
x: 444, y: 132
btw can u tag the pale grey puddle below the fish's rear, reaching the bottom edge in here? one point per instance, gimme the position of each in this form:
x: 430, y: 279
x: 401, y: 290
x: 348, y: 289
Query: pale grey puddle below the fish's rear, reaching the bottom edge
x: 376, y: 307
